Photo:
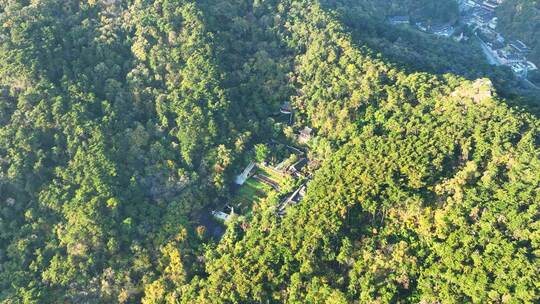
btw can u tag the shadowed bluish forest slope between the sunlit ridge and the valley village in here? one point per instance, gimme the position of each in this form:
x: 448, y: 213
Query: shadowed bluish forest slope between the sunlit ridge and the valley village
x: 415, y: 51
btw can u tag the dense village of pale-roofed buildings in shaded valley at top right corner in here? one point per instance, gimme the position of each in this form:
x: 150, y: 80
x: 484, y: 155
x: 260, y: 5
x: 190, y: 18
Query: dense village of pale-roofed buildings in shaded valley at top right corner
x: 480, y: 17
